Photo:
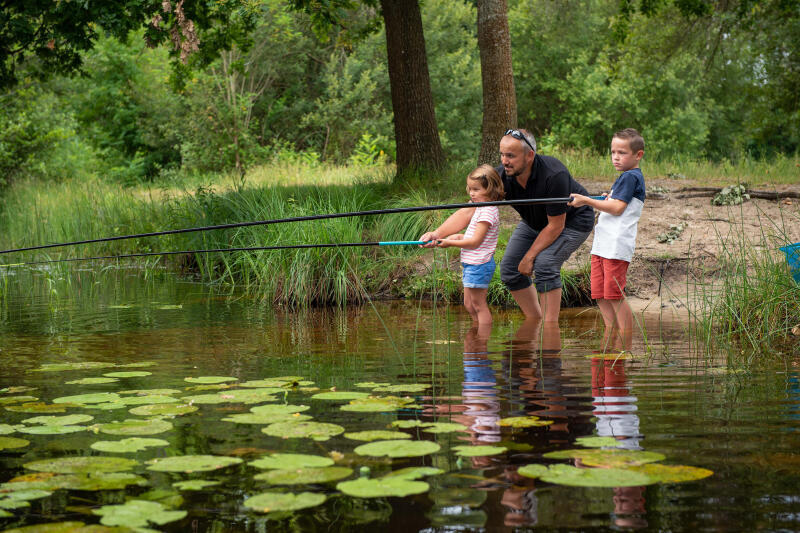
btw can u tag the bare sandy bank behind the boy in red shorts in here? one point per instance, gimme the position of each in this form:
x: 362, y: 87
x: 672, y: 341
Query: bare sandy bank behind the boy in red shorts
x: 657, y: 277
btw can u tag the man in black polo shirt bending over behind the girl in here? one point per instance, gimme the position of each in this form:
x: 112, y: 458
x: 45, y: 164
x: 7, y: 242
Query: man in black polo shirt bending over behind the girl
x: 547, y: 234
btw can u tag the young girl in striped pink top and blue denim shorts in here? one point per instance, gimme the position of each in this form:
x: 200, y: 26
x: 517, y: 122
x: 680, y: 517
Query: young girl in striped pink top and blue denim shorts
x: 479, y: 241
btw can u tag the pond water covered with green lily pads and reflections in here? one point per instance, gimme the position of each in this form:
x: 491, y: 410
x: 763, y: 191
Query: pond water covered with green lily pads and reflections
x: 159, y: 331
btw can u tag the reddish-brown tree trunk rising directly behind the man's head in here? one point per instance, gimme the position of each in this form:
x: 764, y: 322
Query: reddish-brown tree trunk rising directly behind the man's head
x: 497, y: 76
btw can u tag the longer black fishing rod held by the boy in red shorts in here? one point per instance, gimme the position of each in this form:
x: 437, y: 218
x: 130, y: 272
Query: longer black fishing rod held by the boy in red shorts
x: 532, y: 201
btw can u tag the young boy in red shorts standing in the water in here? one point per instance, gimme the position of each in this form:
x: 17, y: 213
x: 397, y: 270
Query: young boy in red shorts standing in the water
x: 615, y: 234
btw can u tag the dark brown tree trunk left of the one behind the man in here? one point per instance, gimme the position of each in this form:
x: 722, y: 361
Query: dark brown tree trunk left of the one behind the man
x: 416, y: 136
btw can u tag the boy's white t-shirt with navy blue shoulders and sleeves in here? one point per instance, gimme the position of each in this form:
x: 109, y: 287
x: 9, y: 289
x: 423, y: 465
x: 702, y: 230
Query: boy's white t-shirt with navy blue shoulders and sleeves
x: 615, y: 236
